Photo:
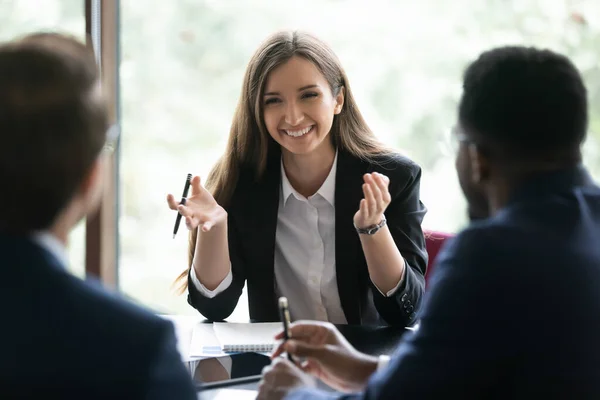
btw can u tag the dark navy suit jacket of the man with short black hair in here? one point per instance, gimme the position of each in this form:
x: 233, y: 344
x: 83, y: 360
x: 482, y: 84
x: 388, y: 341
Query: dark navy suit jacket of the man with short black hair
x: 514, y: 306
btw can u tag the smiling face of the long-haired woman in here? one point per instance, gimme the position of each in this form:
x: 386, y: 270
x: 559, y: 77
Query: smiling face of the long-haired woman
x: 298, y: 106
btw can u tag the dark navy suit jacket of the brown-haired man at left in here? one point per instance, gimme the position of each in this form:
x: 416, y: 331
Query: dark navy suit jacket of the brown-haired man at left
x: 64, y: 338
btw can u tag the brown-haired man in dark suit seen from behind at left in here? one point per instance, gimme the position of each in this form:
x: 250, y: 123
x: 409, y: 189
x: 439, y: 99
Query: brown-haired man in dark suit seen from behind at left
x: 61, y: 337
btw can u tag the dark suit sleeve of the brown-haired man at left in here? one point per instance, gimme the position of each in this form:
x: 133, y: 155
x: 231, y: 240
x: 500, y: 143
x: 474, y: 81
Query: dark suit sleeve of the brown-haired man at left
x: 168, y: 377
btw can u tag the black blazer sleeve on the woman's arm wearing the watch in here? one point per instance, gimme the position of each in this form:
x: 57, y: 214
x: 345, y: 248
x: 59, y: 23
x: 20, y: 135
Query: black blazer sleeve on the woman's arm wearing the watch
x: 404, y: 216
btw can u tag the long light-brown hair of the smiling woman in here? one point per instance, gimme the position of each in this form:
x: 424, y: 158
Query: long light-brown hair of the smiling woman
x: 249, y: 140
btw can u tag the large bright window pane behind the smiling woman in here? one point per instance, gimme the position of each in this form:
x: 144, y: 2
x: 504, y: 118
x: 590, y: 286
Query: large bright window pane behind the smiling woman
x: 181, y: 72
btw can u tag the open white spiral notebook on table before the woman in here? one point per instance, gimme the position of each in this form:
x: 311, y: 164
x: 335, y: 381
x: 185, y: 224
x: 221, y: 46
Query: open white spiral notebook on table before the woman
x: 239, y: 337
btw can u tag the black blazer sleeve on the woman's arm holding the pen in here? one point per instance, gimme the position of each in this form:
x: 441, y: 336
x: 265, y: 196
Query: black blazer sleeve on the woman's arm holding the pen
x: 222, y: 305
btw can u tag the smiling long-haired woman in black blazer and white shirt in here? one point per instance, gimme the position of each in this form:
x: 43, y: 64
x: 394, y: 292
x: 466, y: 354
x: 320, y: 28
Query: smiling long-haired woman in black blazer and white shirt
x: 344, y: 248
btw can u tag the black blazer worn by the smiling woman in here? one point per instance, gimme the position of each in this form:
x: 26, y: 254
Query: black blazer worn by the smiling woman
x: 252, y: 222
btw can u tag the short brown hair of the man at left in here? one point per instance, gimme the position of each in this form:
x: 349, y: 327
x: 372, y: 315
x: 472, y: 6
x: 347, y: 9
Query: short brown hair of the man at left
x: 53, y: 125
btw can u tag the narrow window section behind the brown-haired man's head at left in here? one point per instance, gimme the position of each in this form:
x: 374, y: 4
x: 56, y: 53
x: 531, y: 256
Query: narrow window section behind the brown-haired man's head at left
x: 19, y: 17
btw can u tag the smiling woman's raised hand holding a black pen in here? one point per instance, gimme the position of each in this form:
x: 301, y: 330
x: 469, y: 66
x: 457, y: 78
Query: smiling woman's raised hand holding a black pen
x: 198, y: 210
